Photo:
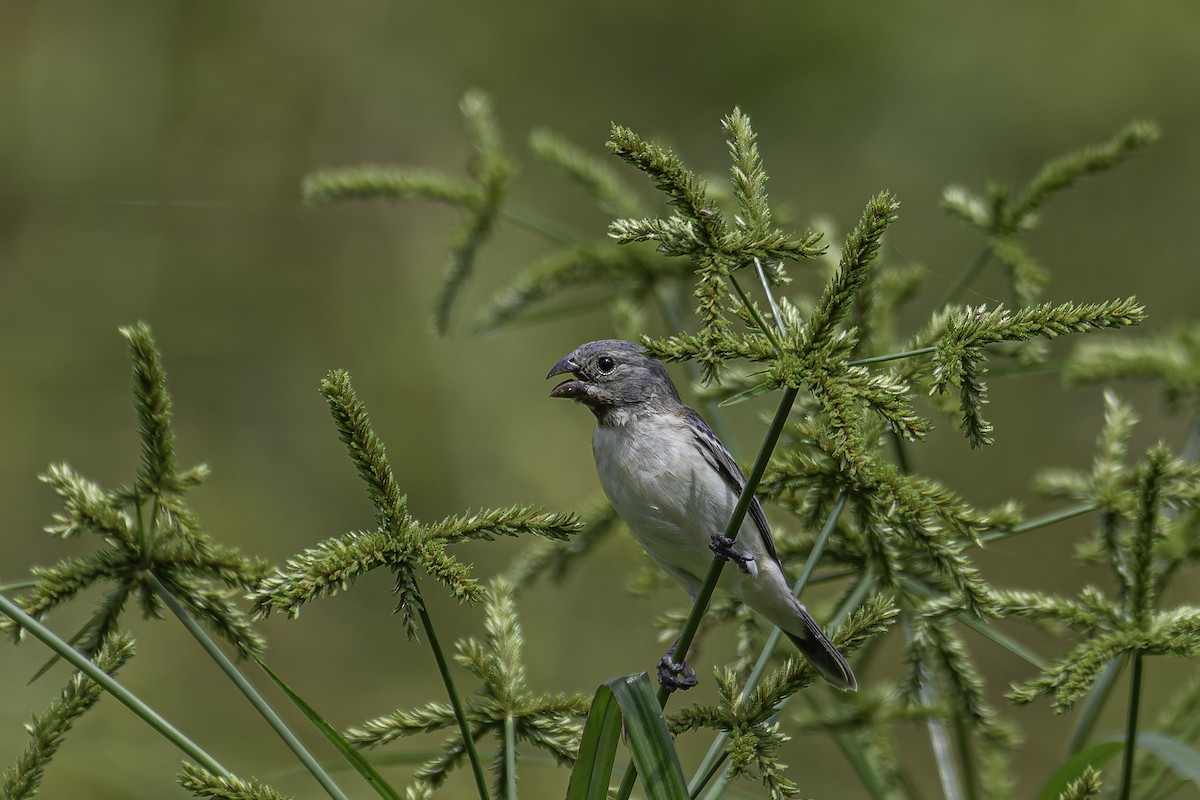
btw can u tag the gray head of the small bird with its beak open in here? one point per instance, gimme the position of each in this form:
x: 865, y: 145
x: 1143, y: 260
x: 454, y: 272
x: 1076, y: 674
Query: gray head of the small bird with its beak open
x: 614, y: 375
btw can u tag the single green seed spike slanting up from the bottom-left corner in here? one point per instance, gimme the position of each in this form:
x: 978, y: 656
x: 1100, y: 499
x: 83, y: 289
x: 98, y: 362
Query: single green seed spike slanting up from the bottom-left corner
x: 25, y: 777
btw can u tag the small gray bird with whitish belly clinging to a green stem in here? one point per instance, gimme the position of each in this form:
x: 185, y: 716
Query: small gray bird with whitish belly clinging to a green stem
x: 676, y: 485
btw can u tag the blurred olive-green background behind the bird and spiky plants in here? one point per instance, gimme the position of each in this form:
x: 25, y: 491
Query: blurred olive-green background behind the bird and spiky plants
x: 151, y: 163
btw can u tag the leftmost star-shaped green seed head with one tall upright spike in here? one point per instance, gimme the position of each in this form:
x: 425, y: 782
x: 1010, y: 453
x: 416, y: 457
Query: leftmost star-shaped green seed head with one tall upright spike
x: 147, y: 530
